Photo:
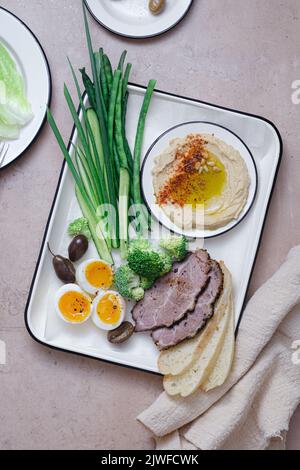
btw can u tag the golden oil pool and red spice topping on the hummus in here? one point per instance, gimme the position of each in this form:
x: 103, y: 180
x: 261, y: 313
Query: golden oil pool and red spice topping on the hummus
x: 199, y: 176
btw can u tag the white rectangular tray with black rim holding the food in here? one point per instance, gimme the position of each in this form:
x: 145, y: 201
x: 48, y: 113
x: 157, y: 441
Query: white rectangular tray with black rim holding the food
x: 238, y: 248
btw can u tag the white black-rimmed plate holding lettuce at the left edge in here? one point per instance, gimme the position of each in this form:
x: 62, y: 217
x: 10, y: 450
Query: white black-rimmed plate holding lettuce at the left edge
x: 31, y: 60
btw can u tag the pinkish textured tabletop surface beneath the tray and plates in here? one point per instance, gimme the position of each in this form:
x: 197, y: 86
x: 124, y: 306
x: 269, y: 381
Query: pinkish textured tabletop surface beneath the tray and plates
x: 55, y: 400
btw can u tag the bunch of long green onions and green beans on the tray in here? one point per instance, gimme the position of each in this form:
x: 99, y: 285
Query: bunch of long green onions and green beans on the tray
x: 105, y: 171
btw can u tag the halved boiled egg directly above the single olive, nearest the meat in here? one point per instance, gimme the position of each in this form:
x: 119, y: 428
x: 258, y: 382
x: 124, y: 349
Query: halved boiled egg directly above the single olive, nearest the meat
x: 108, y: 310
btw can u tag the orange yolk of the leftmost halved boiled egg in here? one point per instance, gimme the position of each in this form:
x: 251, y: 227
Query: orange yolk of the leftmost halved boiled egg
x: 74, y: 306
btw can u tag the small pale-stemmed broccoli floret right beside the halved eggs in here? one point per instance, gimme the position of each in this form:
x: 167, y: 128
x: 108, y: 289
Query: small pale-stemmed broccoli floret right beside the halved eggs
x: 127, y: 283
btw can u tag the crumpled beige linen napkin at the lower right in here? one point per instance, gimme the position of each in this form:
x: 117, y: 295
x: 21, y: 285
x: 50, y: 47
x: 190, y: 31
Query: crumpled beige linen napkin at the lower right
x: 253, y: 408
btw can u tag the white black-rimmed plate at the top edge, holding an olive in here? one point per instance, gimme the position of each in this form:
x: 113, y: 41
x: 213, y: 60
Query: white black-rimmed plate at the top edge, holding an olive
x: 132, y: 18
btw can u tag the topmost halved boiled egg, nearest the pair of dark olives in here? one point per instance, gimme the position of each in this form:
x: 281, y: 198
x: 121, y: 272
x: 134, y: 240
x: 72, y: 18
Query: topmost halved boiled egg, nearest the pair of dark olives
x: 94, y: 276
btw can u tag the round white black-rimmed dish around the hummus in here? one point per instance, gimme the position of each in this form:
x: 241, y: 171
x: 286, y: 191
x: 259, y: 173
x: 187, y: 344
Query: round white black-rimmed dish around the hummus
x: 182, y: 130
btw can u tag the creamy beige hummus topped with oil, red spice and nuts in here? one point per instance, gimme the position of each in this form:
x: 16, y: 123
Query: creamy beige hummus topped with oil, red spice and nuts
x: 200, y: 182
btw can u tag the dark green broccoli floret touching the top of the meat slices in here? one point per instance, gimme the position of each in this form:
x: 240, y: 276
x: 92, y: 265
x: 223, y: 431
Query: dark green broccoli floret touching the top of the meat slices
x: 145, y: 262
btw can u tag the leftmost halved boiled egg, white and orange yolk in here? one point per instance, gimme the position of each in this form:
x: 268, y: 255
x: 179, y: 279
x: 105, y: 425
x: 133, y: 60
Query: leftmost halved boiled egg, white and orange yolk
x: 72, y: 304
